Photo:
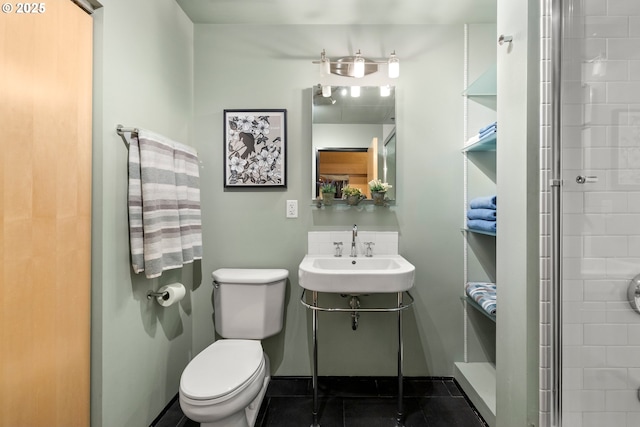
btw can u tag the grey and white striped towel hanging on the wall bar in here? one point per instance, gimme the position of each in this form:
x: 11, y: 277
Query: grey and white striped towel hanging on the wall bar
x: 164, y: 204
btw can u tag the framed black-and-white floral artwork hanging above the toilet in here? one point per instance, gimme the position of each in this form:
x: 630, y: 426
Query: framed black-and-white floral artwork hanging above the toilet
x: 255, y: 148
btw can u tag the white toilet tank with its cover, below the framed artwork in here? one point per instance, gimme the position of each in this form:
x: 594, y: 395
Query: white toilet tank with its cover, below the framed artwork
x: 249, y: 302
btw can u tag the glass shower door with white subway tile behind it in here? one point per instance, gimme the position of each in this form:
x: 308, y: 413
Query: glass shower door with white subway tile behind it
x: 600, y: 205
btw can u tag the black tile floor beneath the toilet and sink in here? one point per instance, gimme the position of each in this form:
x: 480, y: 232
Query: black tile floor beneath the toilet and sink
x: 355, y: 402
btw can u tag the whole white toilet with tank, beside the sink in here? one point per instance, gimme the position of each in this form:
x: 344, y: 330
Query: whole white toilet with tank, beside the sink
x: 224, y: 385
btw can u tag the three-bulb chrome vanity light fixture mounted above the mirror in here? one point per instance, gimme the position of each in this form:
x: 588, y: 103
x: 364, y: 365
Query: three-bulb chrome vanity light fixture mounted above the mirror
x: 357, y: 66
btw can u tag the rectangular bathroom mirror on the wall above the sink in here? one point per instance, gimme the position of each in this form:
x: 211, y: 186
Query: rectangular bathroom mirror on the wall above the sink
x: 353, y: 138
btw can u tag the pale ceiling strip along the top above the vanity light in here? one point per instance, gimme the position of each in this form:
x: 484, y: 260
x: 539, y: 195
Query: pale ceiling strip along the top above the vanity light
x: 339, y: 12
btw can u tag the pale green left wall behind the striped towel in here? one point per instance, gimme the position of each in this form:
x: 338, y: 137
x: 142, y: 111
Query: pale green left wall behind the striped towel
x: 143, y: 77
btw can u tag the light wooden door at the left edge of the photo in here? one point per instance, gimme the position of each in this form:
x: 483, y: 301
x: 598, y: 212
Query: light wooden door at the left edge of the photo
x: 45, y: 215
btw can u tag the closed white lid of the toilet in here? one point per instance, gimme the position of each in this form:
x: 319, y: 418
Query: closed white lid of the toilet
x: 221, y: 368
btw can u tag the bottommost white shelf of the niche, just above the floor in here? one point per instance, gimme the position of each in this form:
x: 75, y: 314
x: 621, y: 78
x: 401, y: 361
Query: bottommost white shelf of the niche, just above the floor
x: 478, y: 380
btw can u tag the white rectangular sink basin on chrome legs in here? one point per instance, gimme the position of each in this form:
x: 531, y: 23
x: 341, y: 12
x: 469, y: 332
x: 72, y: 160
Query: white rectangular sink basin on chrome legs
x: 359, y: 275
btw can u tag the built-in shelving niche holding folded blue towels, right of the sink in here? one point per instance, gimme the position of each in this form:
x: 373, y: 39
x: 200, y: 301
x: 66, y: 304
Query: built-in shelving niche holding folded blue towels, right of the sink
x: 476, y: 373
